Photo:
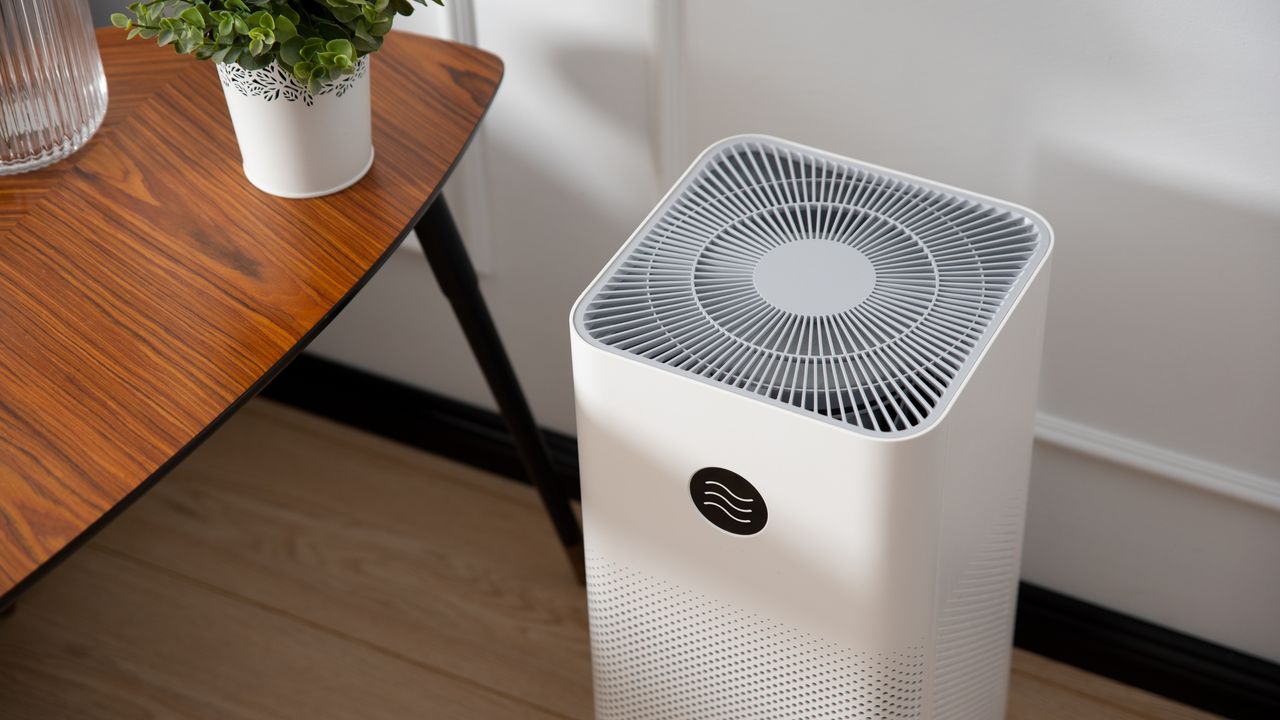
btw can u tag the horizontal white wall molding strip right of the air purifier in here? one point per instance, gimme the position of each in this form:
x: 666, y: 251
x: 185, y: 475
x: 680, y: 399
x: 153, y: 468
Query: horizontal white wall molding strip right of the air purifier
x: 1187, y: 470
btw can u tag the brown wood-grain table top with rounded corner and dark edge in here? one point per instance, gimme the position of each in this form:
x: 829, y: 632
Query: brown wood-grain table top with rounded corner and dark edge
x: 148, y: 290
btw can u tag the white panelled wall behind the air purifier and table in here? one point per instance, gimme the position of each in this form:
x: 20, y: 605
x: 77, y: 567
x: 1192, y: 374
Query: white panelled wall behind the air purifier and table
x: 1148, y: 133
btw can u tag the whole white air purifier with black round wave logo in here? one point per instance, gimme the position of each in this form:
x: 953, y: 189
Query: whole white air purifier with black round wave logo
x: 806, y: 393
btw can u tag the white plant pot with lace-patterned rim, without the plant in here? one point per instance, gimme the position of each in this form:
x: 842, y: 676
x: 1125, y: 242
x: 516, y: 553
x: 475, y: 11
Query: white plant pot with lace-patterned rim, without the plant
x: 295, y: 144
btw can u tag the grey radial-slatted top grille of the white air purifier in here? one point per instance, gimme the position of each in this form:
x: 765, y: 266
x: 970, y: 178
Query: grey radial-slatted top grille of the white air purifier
x: 817, y: 282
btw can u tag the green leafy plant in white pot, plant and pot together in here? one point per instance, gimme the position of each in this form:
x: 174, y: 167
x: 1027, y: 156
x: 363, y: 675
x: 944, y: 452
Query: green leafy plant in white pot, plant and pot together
x: 295, y: 75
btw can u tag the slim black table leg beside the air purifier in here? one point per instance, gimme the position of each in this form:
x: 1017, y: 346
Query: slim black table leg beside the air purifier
x: 458, y: 279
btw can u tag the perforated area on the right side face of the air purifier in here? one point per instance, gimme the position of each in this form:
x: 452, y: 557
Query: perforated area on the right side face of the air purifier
x: 976, y: 627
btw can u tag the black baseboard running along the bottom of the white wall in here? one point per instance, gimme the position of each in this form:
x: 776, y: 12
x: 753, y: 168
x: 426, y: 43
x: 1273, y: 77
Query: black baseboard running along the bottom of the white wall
x: 1098, y: 640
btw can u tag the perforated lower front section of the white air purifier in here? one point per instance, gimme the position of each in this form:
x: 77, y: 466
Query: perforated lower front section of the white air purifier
x: 662, y: 653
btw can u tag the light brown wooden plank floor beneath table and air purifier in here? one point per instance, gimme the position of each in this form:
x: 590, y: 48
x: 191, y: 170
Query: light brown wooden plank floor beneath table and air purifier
x: 294, y: 568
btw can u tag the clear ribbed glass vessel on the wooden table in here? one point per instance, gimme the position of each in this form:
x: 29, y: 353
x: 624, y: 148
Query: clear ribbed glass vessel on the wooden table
x: 53, y: 93
